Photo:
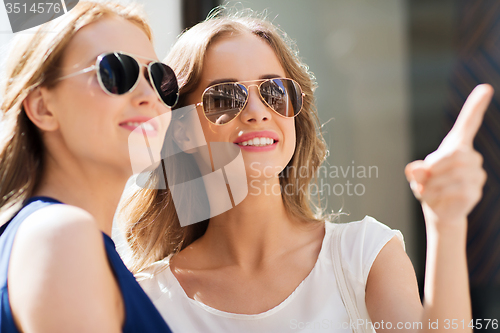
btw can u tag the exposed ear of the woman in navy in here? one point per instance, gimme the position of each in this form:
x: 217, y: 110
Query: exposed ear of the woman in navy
x: 35, y: 106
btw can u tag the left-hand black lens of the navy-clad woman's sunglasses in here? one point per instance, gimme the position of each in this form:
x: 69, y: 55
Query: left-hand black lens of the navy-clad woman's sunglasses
x: 118, y: 72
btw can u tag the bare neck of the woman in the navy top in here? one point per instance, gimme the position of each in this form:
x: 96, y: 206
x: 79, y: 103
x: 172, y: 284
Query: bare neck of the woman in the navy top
x: 95, y: 189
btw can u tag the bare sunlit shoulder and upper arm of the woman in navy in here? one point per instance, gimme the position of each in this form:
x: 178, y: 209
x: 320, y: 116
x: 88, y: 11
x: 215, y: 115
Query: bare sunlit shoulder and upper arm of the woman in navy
x: 59, y: 274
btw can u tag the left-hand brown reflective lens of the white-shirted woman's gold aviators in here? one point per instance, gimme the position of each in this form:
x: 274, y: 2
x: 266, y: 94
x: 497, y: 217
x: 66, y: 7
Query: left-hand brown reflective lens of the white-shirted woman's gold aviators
x: 223, y: 102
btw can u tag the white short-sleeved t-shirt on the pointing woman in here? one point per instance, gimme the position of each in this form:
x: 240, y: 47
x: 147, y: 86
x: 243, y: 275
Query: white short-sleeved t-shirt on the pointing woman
x: 314, y: 306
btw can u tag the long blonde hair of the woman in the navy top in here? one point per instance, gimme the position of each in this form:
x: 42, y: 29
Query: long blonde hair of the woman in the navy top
x: 34, y: 61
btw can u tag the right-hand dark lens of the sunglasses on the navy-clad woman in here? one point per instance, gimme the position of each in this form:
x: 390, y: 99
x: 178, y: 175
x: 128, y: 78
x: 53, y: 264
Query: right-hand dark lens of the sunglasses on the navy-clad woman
x: 165, y: 83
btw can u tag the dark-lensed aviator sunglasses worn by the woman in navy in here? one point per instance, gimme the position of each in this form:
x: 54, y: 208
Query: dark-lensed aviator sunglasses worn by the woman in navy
x: 118, y: 74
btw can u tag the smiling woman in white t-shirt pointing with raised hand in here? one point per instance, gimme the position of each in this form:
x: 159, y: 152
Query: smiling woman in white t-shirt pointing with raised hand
x: 267, y: 265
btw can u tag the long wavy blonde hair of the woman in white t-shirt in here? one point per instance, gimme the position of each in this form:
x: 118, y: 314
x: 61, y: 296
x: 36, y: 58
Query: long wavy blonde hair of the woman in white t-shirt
x: 151, y: 224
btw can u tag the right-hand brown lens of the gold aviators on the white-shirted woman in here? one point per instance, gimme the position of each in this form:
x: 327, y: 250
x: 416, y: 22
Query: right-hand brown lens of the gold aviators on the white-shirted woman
x: 283, y: 96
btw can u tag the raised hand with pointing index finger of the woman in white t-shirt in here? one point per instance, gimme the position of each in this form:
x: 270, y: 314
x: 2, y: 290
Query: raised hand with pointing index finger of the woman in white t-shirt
x: 449, y: 181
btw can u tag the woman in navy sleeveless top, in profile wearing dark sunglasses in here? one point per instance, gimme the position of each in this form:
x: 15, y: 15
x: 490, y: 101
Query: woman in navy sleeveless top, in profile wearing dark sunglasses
x: 64, y: 162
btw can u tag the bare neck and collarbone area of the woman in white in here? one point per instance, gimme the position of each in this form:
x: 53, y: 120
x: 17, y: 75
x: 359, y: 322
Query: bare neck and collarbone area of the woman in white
x: 257, y: 229
